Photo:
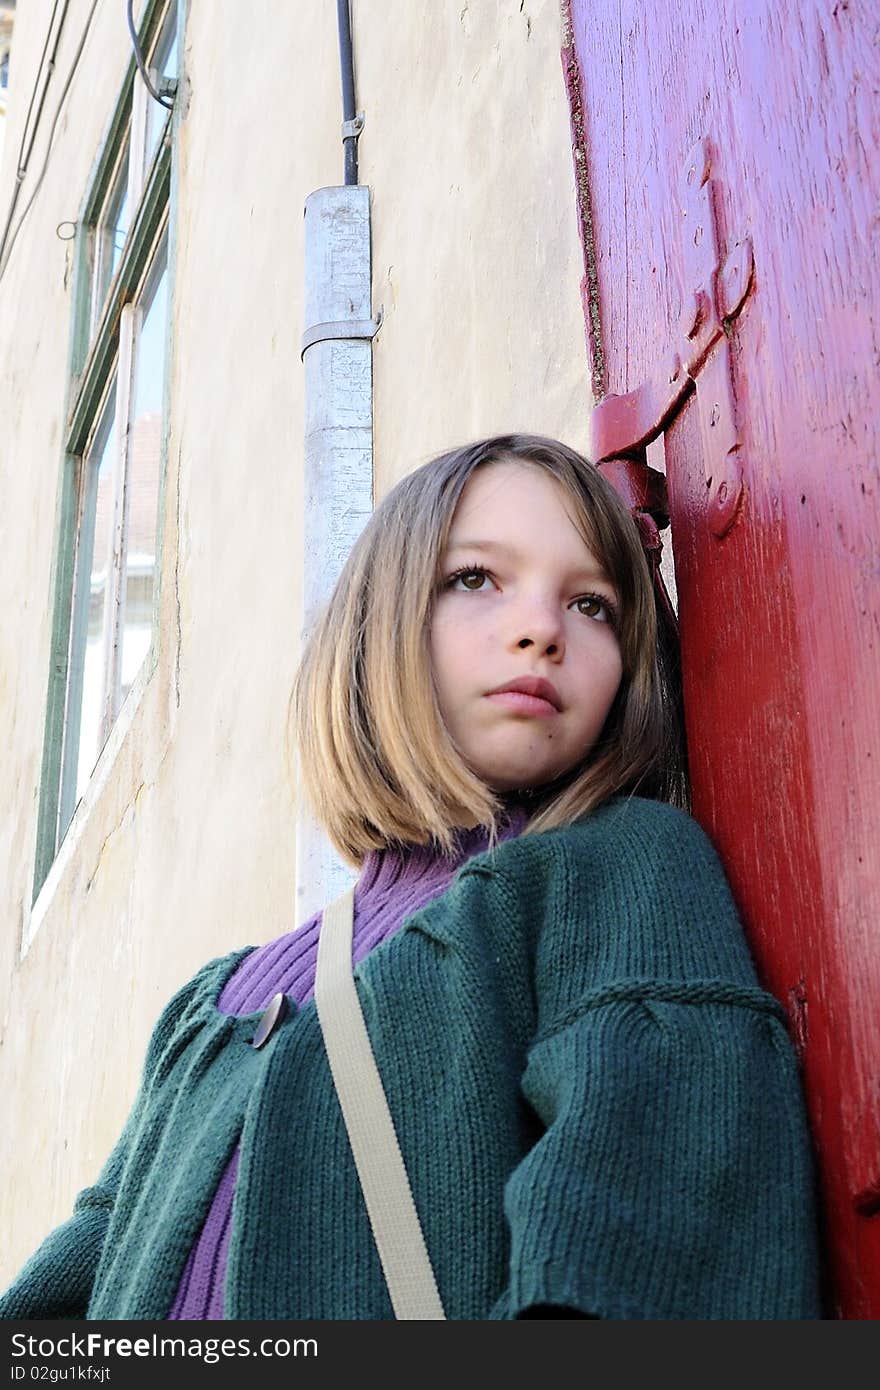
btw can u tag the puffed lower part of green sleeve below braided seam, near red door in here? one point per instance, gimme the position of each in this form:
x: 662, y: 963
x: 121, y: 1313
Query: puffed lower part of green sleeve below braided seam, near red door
x: 674, y: 1179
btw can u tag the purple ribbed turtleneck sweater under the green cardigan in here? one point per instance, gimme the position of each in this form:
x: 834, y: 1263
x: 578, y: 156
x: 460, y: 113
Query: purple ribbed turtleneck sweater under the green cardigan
x: 394, y: 883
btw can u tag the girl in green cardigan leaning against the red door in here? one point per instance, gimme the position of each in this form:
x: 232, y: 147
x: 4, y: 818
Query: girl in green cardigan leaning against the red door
x: 598, y: 1107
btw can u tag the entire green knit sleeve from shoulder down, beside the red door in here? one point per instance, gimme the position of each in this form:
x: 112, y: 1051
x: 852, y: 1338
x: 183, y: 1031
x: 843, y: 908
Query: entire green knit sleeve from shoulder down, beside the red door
x: 675, y: 1175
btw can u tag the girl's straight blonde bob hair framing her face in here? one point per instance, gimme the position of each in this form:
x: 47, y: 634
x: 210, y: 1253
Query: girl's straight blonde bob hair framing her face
x: 376, y: 758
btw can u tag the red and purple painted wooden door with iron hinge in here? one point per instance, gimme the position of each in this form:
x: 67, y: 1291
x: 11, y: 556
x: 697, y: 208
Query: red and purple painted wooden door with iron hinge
x: 729, y: 190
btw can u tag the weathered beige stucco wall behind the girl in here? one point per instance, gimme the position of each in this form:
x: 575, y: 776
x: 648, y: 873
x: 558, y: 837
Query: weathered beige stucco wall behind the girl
x: 183, y: 847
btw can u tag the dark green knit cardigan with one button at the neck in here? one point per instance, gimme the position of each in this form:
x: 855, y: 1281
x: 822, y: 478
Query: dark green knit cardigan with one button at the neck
x: 597, y: 1104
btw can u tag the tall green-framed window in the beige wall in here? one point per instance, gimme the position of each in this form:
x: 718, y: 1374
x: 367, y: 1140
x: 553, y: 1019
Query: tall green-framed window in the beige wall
x: 106, y: 564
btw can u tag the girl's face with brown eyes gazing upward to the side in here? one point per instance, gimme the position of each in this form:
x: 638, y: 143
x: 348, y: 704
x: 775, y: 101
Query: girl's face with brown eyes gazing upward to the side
x: 522, y: 600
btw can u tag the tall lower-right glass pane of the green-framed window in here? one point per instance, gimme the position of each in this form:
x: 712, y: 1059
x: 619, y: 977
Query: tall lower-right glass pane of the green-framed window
x: 144, y: 464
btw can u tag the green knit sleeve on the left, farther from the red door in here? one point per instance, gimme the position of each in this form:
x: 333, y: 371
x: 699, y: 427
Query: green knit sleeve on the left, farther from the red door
x: 58, y: 1279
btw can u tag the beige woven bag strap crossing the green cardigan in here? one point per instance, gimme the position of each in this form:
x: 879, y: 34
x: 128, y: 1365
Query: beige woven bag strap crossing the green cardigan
x: 372, y: 1132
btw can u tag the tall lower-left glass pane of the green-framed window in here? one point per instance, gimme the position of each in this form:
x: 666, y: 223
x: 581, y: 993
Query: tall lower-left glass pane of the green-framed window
x: 94, y: 565
